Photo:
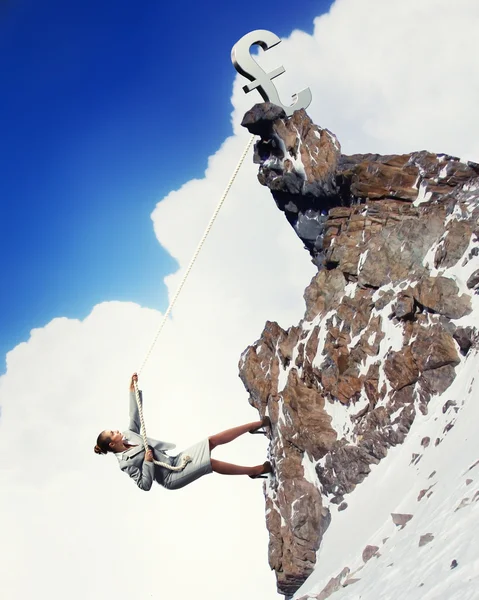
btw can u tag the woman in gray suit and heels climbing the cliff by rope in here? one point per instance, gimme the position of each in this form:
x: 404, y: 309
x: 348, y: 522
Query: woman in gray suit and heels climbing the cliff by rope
x: 174, y: 472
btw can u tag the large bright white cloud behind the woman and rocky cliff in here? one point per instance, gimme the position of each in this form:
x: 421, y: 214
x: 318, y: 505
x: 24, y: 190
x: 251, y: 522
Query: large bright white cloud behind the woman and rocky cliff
x: 386, y: 76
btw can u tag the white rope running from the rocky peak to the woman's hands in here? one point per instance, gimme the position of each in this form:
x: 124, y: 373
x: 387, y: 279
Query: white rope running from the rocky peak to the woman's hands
x: 186, y: 459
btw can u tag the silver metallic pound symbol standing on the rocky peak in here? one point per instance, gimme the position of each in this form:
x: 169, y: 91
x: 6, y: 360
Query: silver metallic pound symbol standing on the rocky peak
x: 246, y: 65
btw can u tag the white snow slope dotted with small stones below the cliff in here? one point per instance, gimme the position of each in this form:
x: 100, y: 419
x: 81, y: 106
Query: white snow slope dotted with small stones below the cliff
x: 449, y: 511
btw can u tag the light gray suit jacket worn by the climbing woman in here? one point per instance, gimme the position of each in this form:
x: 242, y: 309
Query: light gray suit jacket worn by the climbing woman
x: 133, y: 460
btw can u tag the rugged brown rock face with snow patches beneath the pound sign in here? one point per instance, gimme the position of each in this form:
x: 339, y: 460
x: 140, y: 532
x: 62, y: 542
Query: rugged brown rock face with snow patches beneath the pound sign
x: 378, y: 340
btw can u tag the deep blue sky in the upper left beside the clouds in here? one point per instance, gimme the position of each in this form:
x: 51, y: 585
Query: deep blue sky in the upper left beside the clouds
x: 105, y: 108
